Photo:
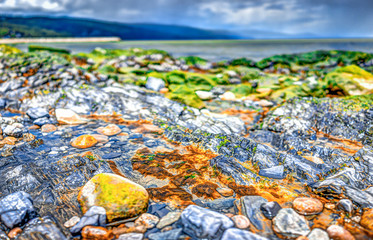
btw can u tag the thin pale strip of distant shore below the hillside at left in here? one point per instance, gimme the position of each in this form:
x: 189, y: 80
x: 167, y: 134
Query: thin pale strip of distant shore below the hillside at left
x: 58, y: 40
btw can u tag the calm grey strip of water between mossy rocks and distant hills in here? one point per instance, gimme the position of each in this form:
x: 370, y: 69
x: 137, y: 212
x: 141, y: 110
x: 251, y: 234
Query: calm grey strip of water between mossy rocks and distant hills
x: 227, y: 49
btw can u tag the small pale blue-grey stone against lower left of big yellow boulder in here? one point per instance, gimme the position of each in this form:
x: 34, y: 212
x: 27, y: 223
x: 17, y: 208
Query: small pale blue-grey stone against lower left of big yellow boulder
x: 95, y: 216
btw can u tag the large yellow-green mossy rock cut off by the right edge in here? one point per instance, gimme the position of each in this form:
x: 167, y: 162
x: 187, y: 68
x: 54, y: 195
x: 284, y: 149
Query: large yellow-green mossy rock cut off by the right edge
x: 352, y: 80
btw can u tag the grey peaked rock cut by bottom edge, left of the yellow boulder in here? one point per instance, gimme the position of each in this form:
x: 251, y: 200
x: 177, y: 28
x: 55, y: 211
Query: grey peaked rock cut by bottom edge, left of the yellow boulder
x: 42, y: 228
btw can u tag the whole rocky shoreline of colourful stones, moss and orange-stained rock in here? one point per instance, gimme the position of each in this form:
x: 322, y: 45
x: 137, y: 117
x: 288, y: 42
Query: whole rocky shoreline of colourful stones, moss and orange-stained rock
x: 135, y: 144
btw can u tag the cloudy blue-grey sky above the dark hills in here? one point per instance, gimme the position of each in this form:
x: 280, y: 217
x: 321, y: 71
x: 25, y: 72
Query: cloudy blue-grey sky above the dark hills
x: 333, y: 18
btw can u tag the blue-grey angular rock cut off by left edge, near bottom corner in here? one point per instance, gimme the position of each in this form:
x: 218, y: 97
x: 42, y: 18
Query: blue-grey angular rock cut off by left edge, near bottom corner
x: 16, y: 209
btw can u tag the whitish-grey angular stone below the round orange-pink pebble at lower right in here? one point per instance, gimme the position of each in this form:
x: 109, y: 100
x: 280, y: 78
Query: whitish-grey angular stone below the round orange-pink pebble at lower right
x: 290, y: 224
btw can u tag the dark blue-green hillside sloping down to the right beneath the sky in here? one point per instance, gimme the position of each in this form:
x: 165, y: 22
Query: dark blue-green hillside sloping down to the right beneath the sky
x: 11, y: 26
